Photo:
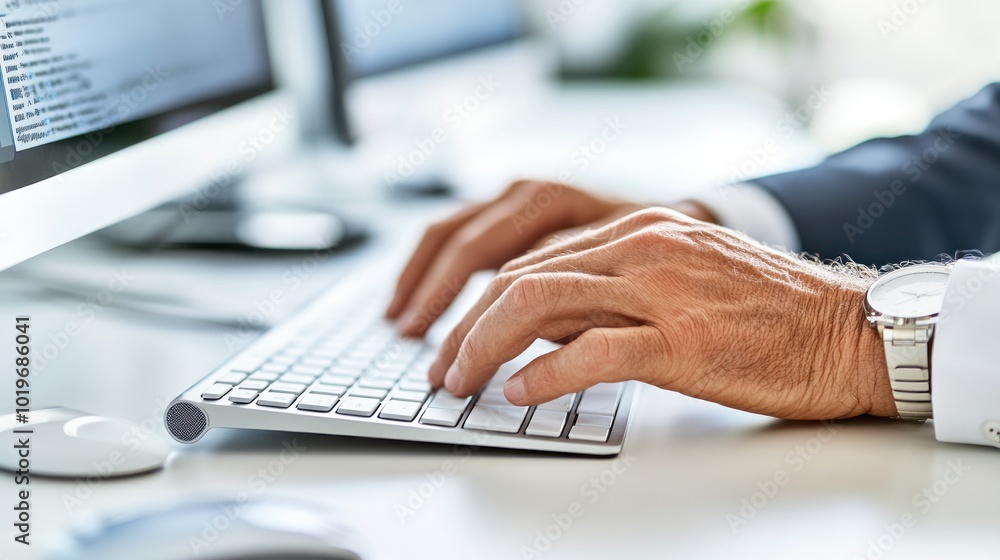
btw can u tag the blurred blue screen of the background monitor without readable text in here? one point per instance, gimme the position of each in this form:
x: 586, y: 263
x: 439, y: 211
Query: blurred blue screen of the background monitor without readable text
x: 381, y: 35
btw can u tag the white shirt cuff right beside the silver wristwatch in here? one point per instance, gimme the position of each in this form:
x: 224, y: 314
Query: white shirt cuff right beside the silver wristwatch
x: 965, y: 369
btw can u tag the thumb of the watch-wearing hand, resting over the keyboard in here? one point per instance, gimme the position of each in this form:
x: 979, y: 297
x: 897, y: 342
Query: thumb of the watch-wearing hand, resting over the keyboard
x: 605, y: 355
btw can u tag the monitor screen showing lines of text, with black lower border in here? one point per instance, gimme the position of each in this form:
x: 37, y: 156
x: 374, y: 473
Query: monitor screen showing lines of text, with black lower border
x: 85, y: 78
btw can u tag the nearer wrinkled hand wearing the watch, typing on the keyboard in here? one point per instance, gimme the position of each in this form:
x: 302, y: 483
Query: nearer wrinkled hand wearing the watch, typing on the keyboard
x: 681, y: 304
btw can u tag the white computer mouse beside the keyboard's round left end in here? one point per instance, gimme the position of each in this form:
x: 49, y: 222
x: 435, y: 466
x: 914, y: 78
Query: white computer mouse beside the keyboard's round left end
x: 69, y: 443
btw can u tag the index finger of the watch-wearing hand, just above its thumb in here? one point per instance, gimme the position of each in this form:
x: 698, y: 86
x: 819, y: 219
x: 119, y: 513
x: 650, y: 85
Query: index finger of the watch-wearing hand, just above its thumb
x: 536, y: 306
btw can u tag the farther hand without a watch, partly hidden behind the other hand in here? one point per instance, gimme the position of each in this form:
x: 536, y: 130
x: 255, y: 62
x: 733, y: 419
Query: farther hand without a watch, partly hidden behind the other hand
x: 485, y: 236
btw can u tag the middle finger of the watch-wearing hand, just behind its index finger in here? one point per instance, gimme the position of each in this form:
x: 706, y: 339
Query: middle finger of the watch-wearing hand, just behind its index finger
x: 595, y: 264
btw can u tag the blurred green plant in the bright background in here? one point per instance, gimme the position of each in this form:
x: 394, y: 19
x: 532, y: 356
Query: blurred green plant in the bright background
x: 667, y: 44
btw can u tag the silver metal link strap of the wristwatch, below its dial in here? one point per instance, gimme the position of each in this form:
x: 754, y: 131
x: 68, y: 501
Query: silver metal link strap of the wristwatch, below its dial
x: 907, y: 353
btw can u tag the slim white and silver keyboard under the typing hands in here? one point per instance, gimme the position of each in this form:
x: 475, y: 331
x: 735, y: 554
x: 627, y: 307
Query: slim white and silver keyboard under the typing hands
x: 337, y: 367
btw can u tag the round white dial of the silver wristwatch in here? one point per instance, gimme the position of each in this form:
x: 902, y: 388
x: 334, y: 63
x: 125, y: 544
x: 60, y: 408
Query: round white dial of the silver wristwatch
x: 910, y: 293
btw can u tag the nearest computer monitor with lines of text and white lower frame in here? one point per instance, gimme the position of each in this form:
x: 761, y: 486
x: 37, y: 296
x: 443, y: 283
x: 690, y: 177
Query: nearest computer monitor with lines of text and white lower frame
x: 111, y: 107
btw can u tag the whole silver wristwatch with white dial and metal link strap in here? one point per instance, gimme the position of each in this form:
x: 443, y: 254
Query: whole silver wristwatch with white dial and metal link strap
x: 904, y: 305
